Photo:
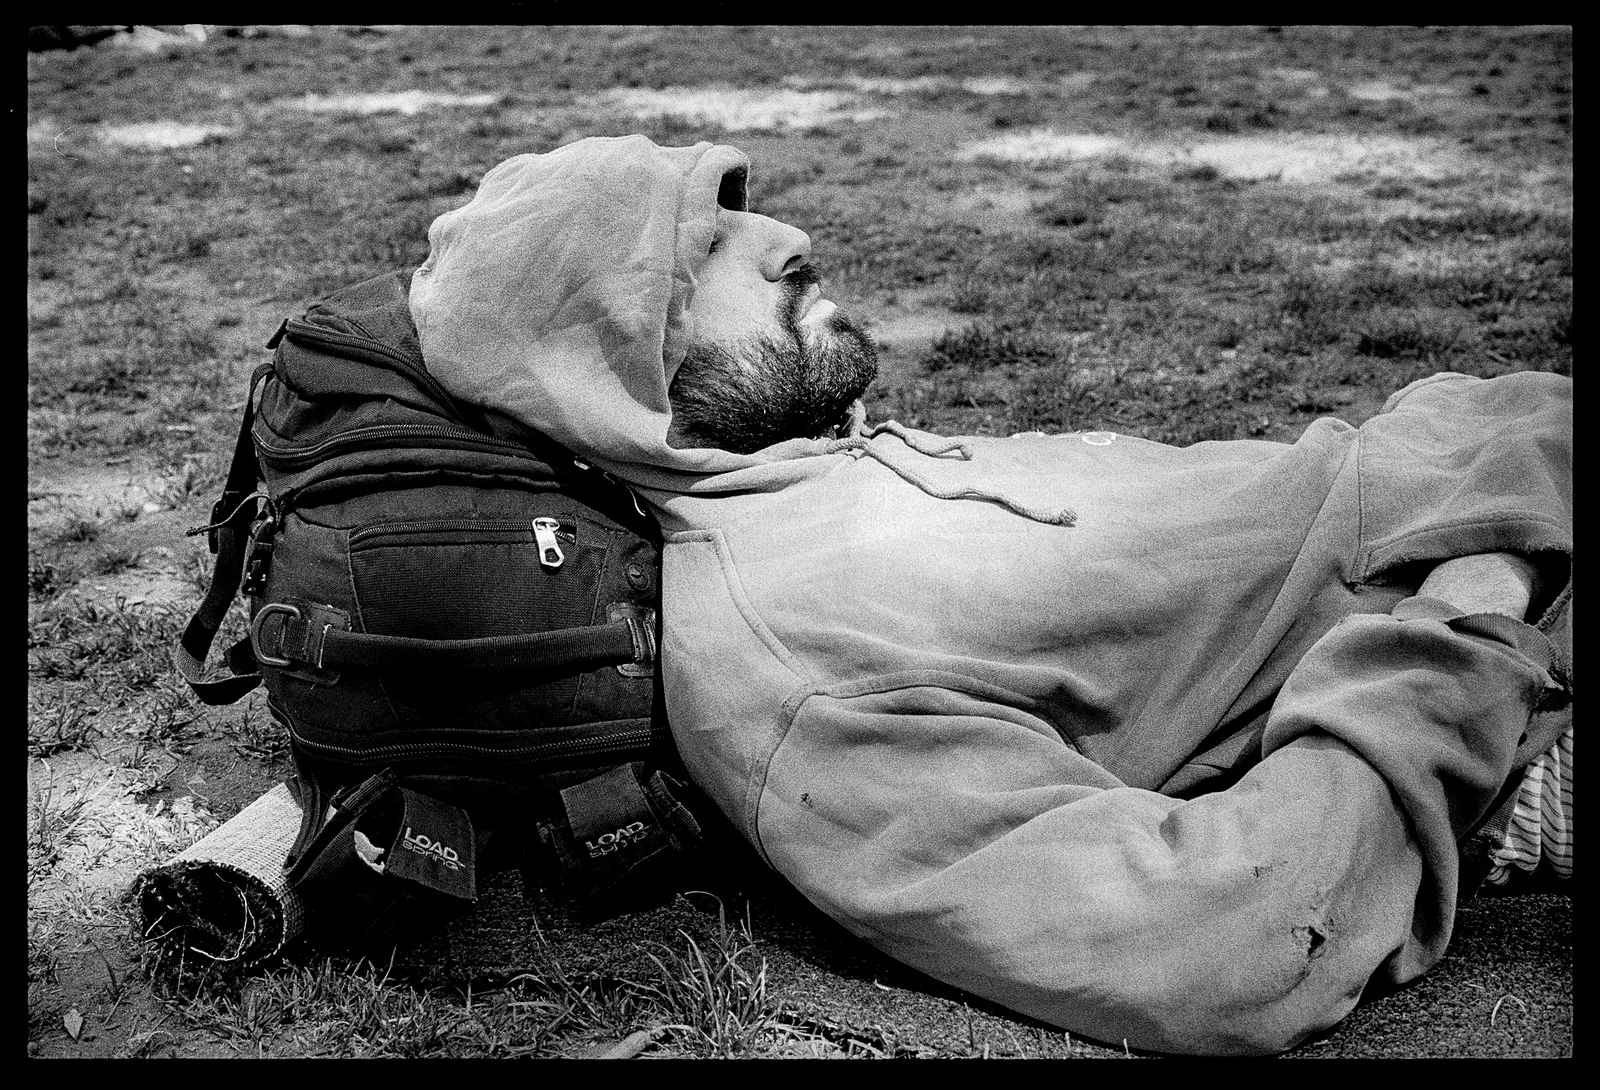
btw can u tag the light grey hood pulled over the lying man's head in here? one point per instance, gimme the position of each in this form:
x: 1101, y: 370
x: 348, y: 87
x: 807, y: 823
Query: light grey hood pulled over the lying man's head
x: 559, y: 299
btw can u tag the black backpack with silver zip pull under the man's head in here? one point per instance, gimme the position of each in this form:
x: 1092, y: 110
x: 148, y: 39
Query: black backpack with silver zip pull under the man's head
x: 457, y: 625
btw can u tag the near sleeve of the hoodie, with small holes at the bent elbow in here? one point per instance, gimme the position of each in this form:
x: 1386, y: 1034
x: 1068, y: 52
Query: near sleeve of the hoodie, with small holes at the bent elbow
x: 964, y: 840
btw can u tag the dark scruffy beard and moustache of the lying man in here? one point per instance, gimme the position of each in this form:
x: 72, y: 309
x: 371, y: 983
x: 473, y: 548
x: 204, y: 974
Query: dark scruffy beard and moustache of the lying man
x: 769, y: 390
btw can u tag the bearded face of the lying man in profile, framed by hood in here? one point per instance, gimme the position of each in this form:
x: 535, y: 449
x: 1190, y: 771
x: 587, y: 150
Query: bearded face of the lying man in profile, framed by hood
x: 772, y: 359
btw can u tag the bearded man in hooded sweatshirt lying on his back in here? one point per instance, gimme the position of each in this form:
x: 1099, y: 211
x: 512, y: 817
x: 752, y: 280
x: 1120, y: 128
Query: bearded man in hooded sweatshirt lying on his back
x: 1167, y: 745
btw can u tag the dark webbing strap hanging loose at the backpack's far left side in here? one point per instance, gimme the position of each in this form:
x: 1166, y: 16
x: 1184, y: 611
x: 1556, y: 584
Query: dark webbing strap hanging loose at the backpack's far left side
x: 230, y: 534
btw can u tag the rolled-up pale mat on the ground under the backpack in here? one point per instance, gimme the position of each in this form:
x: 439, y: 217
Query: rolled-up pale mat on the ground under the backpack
x: 226, y: 897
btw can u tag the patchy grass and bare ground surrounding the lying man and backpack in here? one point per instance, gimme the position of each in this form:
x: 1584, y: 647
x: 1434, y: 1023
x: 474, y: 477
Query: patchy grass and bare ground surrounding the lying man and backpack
x: 1182, y: 234
